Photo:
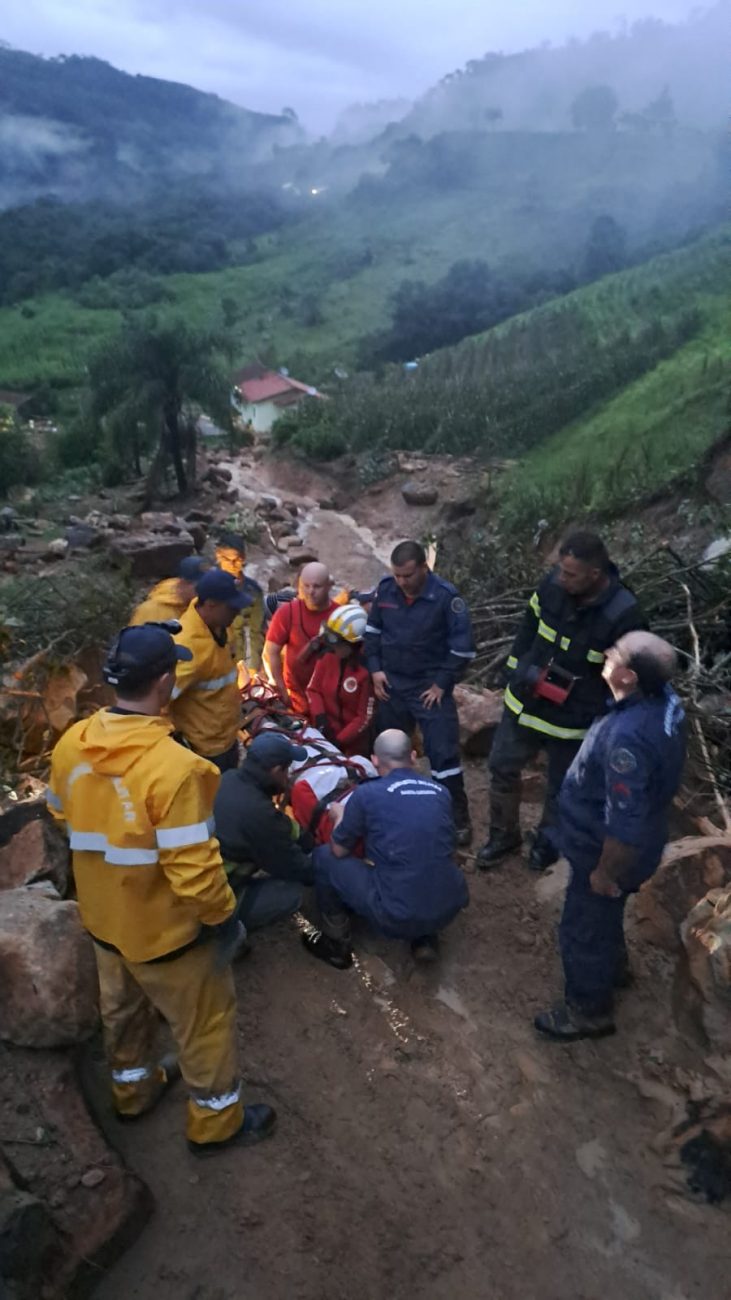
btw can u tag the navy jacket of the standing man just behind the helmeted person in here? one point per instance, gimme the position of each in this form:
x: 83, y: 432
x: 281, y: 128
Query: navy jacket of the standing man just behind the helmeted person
x: 427, y: 640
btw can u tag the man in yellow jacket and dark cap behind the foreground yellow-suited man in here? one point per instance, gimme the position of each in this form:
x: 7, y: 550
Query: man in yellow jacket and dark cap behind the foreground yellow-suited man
x: 206, y: 704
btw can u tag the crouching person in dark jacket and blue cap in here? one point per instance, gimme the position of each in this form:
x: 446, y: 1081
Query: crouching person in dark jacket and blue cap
x: 262, y: 848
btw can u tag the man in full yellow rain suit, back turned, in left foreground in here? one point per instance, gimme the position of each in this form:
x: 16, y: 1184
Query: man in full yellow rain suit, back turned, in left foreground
x: 154, y: 896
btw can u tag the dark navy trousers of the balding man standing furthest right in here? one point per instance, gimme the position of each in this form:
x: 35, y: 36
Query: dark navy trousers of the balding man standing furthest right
x: 592, y: 943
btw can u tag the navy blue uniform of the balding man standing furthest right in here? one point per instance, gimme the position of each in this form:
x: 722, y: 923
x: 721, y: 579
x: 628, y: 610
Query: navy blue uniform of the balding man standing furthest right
x: 621, y: 786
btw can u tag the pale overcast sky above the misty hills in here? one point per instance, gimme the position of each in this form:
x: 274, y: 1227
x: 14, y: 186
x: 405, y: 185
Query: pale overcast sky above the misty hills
x: 317, y: 57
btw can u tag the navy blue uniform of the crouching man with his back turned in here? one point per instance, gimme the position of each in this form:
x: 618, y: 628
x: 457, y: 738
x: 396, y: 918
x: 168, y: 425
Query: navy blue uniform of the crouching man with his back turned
x: 414, y: 886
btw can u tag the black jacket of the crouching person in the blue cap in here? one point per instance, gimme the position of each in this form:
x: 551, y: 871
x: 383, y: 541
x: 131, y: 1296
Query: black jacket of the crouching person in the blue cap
x: 252, y: 830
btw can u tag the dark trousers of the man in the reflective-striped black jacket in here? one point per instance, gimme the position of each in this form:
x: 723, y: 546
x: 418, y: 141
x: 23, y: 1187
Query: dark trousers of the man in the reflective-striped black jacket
x: 513, y: 748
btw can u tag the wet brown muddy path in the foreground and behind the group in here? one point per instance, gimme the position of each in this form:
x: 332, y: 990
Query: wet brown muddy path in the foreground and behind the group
x: 430, y: 1146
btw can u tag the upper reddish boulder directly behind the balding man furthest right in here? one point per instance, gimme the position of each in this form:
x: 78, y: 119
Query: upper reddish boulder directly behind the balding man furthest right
x: 689, y: 870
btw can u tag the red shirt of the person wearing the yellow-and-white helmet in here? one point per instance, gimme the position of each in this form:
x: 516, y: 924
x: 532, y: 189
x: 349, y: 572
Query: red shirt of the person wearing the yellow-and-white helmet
x: 341, y: 691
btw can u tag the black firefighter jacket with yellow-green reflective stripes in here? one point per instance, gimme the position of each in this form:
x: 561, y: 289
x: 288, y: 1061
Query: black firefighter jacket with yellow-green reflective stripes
x: 560, y: 632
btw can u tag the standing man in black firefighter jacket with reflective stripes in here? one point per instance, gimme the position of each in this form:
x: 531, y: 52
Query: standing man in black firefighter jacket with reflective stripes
x: 556, y: 688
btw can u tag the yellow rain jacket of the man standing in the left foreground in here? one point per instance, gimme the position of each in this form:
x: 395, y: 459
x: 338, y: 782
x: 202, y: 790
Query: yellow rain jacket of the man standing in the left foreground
x: 139, y: 809
